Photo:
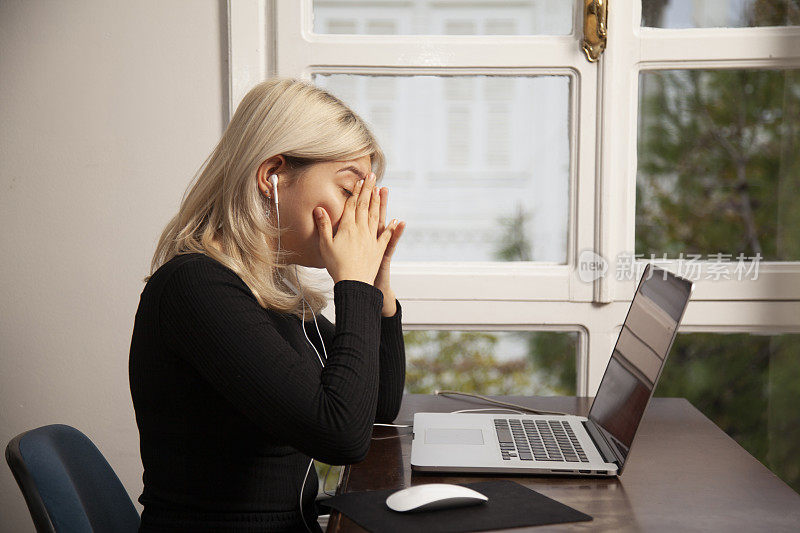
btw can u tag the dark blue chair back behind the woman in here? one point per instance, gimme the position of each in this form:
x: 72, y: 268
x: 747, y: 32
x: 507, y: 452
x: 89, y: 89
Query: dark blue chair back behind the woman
x: 68, y: 484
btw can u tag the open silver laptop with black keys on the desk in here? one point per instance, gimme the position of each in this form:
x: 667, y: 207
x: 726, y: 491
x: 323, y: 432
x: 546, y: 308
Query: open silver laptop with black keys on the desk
x: 572, y: 445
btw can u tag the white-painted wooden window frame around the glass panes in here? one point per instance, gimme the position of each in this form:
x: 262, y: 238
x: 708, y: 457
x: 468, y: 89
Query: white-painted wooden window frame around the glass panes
x: 275, y: 37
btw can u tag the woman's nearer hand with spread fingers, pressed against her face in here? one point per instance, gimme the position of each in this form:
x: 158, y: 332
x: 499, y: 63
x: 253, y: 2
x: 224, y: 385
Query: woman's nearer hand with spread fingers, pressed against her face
x: 358, y: 249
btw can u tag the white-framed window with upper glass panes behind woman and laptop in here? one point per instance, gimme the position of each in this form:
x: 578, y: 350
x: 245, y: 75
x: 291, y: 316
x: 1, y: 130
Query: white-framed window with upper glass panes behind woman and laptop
x: 607, y: 155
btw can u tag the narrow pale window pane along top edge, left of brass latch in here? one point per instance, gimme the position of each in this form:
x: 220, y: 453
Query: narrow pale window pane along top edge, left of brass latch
x: 444, y: 17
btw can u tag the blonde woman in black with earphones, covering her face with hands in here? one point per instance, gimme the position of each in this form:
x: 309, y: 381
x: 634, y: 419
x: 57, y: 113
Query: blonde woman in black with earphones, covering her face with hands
x: 234, y: 392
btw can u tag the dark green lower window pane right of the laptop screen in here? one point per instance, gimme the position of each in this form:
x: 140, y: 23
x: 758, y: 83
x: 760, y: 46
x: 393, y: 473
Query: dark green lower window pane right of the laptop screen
x: 749, y: 385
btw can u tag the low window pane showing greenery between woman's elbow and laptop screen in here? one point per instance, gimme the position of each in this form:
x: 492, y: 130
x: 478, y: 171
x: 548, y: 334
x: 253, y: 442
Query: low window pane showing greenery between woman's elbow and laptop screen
x: 492, y: 362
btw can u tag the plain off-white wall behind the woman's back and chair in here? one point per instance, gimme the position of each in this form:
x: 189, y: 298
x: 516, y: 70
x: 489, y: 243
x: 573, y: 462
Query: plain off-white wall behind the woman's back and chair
x: 107, y: 109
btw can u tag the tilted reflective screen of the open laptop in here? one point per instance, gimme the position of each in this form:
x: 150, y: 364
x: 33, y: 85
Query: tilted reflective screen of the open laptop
x: 639, y: 355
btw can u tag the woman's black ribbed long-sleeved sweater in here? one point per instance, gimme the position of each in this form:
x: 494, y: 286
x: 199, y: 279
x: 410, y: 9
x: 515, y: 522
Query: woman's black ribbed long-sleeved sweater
x: 231, y: 401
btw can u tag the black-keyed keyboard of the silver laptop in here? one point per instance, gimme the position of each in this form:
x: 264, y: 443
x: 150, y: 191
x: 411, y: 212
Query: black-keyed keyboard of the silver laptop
x: 543, y: 440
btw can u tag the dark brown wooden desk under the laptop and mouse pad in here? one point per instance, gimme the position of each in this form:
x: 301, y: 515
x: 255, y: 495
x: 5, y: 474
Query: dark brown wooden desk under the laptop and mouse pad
x: 683, y: 474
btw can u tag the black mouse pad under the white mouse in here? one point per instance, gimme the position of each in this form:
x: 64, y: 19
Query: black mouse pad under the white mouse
x: 510, y: 505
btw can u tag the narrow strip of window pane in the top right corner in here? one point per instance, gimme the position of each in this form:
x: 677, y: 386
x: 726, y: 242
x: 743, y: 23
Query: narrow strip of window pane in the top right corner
x: 719, y: 13
